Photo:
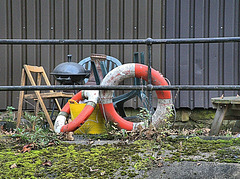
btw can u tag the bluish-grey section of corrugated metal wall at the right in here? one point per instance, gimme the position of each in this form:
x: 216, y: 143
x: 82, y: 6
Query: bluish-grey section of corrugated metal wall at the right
x: 202, y: 64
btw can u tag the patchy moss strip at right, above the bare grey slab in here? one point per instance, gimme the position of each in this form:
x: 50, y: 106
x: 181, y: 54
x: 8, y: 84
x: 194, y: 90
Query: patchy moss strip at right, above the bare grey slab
x: 186, y: 149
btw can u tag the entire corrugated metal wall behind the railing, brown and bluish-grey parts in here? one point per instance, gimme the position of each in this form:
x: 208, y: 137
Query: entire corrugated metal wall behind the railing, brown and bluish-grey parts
x: 124, y: 19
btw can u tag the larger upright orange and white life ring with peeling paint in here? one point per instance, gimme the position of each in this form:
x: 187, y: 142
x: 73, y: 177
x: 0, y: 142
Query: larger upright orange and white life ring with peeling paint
x: 131, y: 70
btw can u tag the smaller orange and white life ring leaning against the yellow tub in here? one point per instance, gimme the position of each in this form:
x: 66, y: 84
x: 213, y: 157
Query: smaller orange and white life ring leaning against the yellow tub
x: 92, y: 96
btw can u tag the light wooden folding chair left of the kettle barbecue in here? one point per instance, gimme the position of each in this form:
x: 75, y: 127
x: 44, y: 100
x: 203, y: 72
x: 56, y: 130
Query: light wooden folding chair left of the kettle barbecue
x: 27, y: 71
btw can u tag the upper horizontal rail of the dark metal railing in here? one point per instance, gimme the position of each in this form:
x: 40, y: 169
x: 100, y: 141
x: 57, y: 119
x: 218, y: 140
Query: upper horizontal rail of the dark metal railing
x: 148, y: 41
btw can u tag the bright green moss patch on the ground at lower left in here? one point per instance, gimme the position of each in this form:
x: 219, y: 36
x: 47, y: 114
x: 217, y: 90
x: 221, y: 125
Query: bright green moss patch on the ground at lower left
x: 75, y: 161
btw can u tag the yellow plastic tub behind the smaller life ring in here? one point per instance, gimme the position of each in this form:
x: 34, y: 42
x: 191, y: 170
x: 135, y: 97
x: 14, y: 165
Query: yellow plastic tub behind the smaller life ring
x: 95, y: 124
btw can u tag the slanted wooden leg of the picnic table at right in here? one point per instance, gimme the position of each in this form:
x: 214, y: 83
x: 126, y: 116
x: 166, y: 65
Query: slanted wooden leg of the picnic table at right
x: 218, y: 119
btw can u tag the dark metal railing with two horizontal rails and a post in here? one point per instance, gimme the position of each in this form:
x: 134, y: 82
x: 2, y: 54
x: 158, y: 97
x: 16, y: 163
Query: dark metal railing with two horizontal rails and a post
x: 149, y: 42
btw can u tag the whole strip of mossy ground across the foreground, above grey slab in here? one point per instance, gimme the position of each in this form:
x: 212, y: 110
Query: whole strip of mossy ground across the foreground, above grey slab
x: 122, y: 160
